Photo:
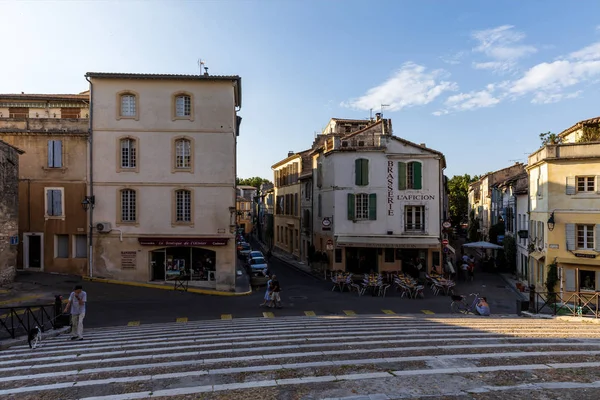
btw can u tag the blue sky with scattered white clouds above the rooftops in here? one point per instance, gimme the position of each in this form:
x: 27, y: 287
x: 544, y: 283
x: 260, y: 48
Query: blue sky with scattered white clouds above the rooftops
x: 475, y: 80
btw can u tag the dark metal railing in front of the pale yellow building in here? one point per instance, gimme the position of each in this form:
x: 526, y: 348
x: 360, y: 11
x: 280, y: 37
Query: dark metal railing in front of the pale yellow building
x: 578, y: 304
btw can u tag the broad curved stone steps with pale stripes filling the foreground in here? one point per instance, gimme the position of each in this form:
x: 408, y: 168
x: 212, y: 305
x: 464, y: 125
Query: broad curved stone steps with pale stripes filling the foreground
x: 319, y: 357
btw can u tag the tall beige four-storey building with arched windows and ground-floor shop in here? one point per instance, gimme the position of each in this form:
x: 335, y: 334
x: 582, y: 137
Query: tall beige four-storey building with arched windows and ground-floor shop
x: 163, y: 159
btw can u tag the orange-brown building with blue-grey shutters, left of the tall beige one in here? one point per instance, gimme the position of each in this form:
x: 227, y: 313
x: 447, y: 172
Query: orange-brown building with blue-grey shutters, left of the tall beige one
x: 52, y: 130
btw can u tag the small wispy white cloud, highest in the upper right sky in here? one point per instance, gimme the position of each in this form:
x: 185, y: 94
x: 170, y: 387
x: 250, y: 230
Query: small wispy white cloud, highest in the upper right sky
x: 502, y: 45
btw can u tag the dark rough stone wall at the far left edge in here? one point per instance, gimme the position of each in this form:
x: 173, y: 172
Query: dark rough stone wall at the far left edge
x: 9, y: 210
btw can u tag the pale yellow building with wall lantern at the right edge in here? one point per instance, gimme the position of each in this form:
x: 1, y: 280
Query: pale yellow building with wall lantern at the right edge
x: 564, y: 229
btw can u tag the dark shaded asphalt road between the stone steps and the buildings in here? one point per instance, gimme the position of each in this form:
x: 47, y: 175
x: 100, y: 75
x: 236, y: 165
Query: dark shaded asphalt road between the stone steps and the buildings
x: 113, y: 305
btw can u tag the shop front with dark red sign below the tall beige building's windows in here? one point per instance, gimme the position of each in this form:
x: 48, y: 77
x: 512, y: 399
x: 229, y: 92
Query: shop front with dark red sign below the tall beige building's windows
x: 189, y: 259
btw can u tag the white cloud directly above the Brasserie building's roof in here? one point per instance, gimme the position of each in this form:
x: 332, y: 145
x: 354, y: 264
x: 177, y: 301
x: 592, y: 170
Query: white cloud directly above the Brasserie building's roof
x: 410, y: 86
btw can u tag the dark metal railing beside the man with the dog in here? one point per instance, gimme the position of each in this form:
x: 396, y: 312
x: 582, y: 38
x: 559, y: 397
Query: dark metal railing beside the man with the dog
x: 15, y: 321
